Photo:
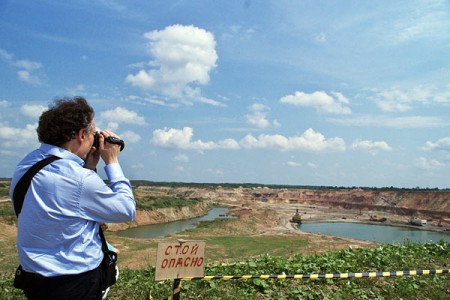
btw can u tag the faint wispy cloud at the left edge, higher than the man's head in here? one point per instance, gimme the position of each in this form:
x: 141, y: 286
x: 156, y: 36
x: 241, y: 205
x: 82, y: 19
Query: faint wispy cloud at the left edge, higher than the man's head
x: 27, y: 70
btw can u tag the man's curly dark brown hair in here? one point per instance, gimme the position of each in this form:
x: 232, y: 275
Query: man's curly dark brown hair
x: 63, y: 120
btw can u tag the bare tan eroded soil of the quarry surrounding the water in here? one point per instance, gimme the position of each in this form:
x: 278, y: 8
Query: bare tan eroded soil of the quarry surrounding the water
x: 259, y: 214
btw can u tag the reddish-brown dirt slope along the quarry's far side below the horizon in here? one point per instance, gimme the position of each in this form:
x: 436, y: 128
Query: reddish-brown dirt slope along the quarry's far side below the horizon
x: 402, y: 202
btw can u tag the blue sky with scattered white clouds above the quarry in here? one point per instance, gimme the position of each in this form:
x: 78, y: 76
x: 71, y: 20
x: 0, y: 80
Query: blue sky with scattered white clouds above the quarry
x: 322, y: 93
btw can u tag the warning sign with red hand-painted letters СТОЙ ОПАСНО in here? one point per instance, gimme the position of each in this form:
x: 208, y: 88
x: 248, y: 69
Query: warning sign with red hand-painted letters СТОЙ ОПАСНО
x: 180, y: 259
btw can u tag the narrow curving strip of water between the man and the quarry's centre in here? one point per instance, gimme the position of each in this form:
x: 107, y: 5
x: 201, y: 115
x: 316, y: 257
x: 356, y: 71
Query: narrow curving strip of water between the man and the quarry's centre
x: 165, y: 229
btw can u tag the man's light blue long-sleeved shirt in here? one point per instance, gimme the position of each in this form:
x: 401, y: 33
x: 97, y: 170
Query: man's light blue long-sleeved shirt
x: 58, y: 225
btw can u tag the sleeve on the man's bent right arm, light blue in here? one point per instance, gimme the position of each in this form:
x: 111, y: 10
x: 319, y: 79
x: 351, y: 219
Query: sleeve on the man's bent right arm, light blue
x: 110, y: 204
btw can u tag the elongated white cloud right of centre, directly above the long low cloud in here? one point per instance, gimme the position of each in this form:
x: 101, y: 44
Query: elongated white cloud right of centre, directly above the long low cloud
x: 334, y: 103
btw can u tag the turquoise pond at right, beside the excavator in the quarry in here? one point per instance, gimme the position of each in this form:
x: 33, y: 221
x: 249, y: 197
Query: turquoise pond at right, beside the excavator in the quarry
x: 375, y: 233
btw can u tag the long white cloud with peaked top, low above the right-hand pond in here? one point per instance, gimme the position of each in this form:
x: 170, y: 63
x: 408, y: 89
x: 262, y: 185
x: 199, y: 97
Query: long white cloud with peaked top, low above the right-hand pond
x: 309, y: 141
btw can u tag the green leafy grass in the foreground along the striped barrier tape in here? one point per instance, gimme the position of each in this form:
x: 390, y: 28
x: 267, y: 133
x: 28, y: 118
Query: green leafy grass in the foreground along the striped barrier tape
x: 140, y: 284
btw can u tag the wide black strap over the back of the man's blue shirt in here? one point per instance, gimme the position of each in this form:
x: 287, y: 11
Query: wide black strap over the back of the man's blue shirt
x: 22, y: 186
